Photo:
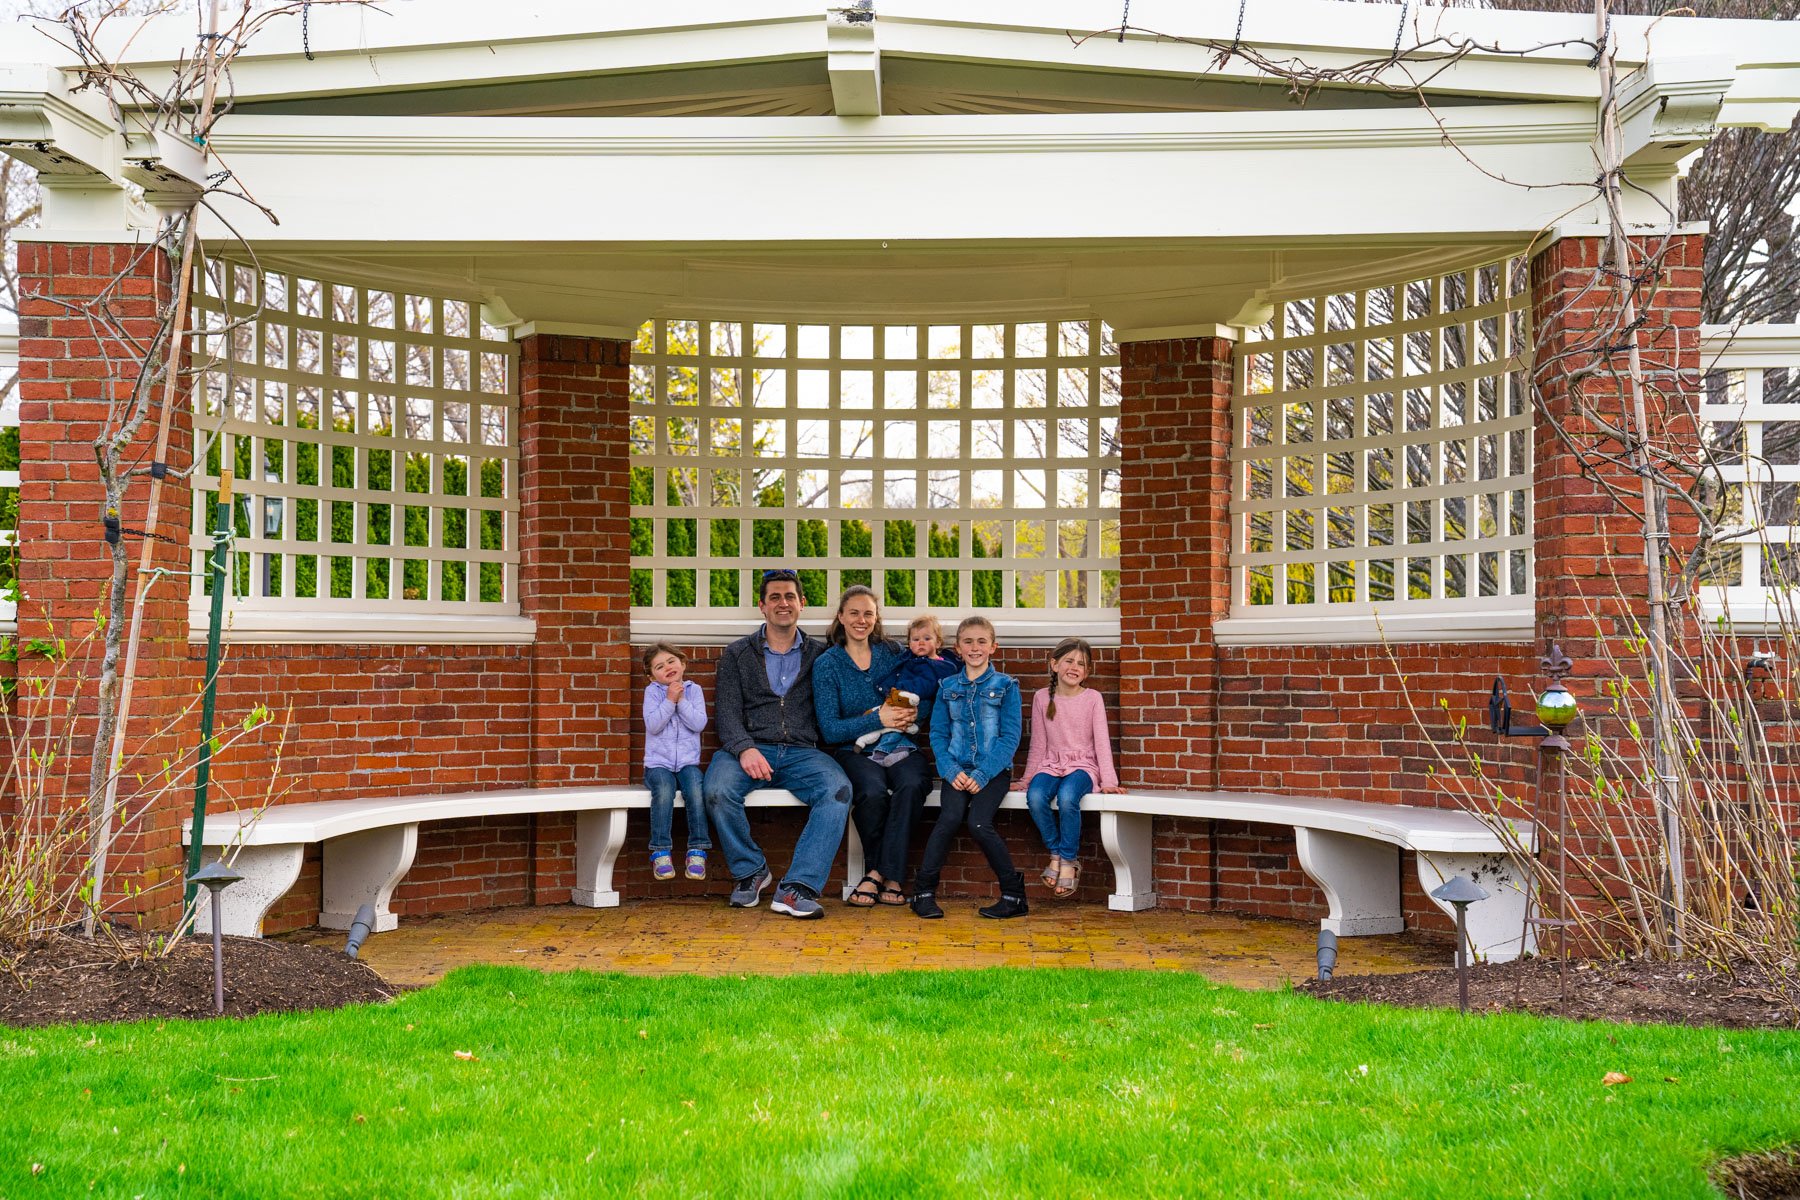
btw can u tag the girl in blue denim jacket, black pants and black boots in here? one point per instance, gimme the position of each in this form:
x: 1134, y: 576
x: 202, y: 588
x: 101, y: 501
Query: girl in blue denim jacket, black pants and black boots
x: 975, y: 733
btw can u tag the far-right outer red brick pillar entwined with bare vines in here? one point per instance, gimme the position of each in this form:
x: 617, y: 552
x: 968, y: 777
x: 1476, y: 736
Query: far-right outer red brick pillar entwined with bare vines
x: 1592, y: 577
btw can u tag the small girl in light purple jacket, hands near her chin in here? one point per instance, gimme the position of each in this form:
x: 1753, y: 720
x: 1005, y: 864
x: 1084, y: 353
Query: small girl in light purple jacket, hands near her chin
x: 674, y: 719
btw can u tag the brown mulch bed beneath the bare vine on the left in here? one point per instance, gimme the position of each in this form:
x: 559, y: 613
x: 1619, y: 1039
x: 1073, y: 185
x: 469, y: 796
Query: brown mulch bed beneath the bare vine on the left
x: 73, y: 980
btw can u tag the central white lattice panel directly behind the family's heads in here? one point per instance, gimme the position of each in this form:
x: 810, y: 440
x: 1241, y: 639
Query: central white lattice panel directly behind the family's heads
x: 960, y: 469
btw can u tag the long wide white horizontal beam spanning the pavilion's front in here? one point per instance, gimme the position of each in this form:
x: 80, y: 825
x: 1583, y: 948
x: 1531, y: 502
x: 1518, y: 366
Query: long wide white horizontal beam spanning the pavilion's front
x: 354, y: 181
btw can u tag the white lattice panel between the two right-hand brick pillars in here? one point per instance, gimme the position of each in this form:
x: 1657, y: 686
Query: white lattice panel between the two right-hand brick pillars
x: 1381, y: 452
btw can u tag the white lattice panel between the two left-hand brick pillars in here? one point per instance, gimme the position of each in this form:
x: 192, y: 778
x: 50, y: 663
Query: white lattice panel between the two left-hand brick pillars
x: 373, y: 436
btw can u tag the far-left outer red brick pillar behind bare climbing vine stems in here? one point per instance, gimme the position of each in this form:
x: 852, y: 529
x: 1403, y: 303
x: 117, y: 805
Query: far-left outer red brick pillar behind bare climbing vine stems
x: 78, y: 372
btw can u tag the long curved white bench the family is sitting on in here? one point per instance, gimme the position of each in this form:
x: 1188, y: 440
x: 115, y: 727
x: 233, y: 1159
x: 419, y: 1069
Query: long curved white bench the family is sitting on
x: 1349, y: 848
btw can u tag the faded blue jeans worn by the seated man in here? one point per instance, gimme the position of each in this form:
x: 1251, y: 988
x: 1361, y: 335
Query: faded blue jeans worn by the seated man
x: 814, y: 780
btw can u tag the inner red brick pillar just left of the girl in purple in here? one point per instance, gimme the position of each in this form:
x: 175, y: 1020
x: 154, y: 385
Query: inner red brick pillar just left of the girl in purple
x: 575, y: 541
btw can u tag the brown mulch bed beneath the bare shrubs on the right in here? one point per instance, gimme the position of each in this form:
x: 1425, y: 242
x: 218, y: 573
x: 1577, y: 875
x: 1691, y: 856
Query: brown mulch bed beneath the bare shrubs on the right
x: 1633, y: 992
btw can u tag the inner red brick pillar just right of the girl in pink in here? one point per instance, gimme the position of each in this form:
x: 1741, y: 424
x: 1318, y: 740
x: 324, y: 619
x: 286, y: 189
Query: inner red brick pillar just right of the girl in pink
x: 1174, y: 562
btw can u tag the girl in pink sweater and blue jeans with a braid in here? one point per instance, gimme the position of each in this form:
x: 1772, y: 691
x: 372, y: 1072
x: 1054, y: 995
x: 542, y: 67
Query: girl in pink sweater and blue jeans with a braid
x: 1070, y: 757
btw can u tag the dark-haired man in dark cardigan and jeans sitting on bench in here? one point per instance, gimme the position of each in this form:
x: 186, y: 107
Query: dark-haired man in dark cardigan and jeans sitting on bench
x: 769, y: 737
